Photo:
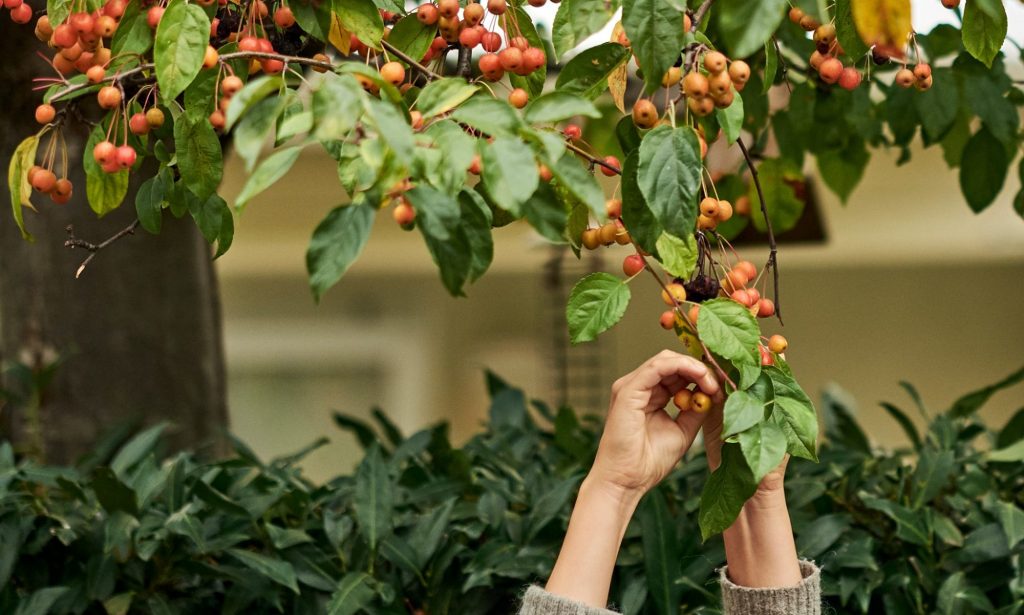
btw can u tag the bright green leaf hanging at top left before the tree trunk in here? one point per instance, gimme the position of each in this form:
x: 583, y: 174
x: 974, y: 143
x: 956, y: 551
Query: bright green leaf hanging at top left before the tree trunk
x: 180, y: 47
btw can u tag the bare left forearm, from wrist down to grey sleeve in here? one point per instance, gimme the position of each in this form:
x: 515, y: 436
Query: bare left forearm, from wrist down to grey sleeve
x: 583, y: 572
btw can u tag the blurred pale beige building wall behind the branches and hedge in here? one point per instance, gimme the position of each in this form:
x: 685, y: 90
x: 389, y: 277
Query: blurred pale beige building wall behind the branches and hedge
x: 911, y: 285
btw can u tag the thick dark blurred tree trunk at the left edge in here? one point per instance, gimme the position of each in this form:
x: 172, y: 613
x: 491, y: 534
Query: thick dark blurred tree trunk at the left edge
x: 140, y: 331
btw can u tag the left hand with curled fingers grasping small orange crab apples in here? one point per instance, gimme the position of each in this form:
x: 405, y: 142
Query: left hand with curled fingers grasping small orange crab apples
x: 642, y: 443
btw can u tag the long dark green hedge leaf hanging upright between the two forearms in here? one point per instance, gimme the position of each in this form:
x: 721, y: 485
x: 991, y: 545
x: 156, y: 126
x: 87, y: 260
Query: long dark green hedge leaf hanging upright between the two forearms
x: 662, y: 553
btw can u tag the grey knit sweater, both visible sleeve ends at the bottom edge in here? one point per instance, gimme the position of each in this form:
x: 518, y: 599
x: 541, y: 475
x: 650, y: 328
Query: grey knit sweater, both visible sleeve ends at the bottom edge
x: 804, y: 599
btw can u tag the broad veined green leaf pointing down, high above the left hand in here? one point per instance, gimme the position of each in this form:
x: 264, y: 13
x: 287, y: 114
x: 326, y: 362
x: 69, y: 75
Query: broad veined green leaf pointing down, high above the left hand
x: 669, y: 177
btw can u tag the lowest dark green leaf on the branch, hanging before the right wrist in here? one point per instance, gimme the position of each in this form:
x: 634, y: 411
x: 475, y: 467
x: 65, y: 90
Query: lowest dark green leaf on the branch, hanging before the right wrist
x: 726, y: 493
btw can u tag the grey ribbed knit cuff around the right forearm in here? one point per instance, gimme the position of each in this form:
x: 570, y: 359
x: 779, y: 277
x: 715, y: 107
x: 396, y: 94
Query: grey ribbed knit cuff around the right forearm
x: 804, y: 599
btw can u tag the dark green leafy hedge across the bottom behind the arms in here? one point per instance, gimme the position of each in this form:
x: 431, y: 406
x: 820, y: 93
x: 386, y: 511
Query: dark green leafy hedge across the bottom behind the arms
x: 423, y: 526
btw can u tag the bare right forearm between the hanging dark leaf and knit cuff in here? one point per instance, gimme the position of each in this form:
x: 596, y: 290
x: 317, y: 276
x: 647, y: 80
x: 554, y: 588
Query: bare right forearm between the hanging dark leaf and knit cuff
x: 759, y: 547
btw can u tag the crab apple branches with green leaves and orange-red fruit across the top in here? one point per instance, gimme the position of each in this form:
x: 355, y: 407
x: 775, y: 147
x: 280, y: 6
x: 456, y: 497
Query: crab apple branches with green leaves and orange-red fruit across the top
x: 459, y: 118
